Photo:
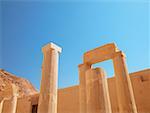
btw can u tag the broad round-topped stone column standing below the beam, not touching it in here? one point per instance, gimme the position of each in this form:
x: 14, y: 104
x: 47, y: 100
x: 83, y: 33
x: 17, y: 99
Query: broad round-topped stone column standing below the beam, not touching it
x: 98, y: 100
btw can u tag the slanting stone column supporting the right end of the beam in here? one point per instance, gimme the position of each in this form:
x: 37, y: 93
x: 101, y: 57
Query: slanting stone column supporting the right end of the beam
x: 126, y: 102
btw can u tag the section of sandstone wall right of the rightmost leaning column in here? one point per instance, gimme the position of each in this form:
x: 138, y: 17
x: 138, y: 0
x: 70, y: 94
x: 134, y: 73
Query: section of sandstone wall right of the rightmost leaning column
x: 141, y: 87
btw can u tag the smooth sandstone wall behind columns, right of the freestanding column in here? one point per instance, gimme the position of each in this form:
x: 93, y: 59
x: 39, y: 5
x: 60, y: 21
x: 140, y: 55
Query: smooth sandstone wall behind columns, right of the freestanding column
x: 68, y: 98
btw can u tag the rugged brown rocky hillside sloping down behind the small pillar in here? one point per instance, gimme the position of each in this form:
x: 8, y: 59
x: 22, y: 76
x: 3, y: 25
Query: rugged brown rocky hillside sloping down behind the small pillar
x: 25, y: 88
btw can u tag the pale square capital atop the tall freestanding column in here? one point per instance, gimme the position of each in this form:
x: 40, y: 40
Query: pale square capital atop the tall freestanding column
x: 51, y: 46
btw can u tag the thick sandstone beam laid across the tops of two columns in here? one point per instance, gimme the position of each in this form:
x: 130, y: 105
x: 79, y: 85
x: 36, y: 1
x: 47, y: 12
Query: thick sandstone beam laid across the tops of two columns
x: 100, y: 54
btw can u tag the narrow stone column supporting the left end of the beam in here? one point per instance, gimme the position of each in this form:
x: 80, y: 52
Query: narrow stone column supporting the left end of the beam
x: 82, y: 86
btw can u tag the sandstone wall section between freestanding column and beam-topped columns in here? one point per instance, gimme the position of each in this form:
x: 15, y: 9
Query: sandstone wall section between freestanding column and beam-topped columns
x: 68, y: 100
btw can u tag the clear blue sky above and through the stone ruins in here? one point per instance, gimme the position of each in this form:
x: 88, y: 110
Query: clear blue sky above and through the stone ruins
x: 77, y: 27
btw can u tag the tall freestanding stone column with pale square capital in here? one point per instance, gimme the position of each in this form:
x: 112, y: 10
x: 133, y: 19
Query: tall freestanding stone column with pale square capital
x: 49, y: 83
